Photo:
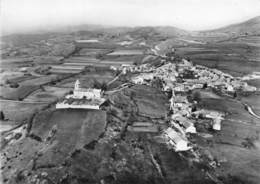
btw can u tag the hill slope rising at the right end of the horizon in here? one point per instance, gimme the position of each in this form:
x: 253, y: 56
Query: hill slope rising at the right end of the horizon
x: 249, y: 27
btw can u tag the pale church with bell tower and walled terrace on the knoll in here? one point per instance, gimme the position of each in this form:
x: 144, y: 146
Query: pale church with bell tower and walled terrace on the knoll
x: 82, y: 98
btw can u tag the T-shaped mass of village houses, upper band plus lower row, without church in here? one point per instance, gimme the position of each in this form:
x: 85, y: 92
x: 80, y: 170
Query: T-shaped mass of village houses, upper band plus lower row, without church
x: 182, y: 118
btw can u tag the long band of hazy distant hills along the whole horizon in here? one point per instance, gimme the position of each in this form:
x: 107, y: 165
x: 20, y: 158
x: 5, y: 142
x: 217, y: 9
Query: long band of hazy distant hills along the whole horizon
x: 151, y: 34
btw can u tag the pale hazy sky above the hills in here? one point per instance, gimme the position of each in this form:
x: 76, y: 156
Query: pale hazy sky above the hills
x: 187, y: 14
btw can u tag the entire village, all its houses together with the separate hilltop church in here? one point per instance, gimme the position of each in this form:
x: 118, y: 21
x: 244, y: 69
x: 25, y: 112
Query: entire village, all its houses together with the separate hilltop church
x: 176, y: 79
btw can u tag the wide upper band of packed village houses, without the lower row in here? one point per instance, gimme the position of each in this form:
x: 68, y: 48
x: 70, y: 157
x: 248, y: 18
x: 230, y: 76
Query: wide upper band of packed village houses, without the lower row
x: 199, y: 76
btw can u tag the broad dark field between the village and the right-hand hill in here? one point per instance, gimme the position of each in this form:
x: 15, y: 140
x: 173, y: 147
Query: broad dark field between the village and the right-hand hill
x: 231, y: 56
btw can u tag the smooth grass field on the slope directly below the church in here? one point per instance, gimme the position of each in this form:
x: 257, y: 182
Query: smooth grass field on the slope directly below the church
x: 76, y: 128
